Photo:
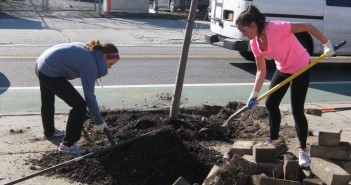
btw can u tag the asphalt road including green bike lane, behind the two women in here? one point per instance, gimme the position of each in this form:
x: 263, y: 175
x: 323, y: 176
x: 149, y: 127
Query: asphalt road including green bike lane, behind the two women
x: 213, y: 76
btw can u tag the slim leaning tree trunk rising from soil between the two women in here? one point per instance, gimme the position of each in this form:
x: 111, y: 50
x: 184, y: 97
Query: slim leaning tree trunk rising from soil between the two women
x: 182, y: 63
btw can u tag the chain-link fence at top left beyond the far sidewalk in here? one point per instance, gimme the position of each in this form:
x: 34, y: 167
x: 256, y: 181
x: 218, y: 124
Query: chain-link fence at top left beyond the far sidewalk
x: 49, y: 5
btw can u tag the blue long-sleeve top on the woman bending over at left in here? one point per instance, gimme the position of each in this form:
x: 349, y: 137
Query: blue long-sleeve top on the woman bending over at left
x: 73, y: 60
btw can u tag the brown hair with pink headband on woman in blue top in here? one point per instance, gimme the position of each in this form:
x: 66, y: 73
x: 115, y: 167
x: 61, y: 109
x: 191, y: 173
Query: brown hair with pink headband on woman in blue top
x: 109, y: 49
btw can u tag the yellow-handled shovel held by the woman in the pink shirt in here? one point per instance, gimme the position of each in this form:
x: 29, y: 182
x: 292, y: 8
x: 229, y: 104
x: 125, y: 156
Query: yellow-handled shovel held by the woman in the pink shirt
x: 275, y: 88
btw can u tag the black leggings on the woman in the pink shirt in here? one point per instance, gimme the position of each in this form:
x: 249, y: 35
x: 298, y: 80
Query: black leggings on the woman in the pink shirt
x: 298, y: 90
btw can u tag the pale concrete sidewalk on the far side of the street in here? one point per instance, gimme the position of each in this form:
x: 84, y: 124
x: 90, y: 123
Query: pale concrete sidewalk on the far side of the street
x: 54, y: 29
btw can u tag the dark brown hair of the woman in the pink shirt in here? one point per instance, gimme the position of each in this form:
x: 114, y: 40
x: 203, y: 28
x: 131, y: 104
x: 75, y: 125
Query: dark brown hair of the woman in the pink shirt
x: 251, y: 14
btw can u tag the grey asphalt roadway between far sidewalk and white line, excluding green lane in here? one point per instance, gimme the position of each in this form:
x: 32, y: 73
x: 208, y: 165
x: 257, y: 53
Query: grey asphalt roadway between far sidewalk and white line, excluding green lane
x: 141, y: 65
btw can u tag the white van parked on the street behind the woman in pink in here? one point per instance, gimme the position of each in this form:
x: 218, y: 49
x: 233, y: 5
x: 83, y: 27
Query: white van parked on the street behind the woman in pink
x: 331, y: 17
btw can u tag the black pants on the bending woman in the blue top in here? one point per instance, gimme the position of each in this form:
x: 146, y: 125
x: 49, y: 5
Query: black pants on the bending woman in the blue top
x: 60, y: 86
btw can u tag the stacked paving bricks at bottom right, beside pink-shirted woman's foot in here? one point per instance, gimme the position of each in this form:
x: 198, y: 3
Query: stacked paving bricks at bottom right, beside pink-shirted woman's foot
x: 324, y: 155
